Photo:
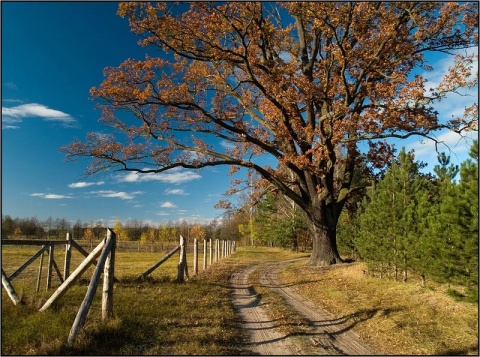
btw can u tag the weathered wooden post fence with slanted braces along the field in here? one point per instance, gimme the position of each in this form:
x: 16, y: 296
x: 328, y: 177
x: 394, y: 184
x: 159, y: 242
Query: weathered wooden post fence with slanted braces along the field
x: 105, y: 252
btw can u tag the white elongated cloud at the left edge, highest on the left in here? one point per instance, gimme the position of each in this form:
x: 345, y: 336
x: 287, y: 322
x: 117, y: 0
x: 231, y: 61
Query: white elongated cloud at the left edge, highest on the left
x: 15, y: 115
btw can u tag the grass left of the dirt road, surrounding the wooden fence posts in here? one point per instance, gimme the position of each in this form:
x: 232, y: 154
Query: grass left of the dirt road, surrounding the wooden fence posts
x: 155, y: 317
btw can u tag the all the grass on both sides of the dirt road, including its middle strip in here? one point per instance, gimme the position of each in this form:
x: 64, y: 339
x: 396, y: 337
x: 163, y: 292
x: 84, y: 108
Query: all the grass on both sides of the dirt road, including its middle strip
x: 161, y: 317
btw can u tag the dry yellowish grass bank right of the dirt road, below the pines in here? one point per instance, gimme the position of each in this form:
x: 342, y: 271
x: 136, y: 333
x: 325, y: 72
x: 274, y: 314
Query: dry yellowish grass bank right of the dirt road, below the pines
x: 393, y: 317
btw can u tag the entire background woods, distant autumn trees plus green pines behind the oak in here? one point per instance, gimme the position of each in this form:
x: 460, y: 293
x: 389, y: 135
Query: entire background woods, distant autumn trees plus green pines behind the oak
x: 406, y: 222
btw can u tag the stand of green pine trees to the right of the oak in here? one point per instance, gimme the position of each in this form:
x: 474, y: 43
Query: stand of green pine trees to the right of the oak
x: 425, y: 224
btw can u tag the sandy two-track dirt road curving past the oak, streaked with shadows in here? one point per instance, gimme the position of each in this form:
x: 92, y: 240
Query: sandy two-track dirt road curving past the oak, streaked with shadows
x: 327, y: 336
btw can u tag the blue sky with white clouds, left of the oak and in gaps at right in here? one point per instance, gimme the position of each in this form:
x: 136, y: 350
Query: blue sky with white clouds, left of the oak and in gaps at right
x: 52, y: 54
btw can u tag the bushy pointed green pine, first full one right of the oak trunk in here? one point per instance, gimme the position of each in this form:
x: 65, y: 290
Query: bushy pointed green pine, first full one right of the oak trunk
x: 386, y: 221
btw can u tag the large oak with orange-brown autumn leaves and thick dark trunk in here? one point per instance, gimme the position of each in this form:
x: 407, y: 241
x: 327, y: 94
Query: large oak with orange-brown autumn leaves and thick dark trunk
x: 302, y: 83
